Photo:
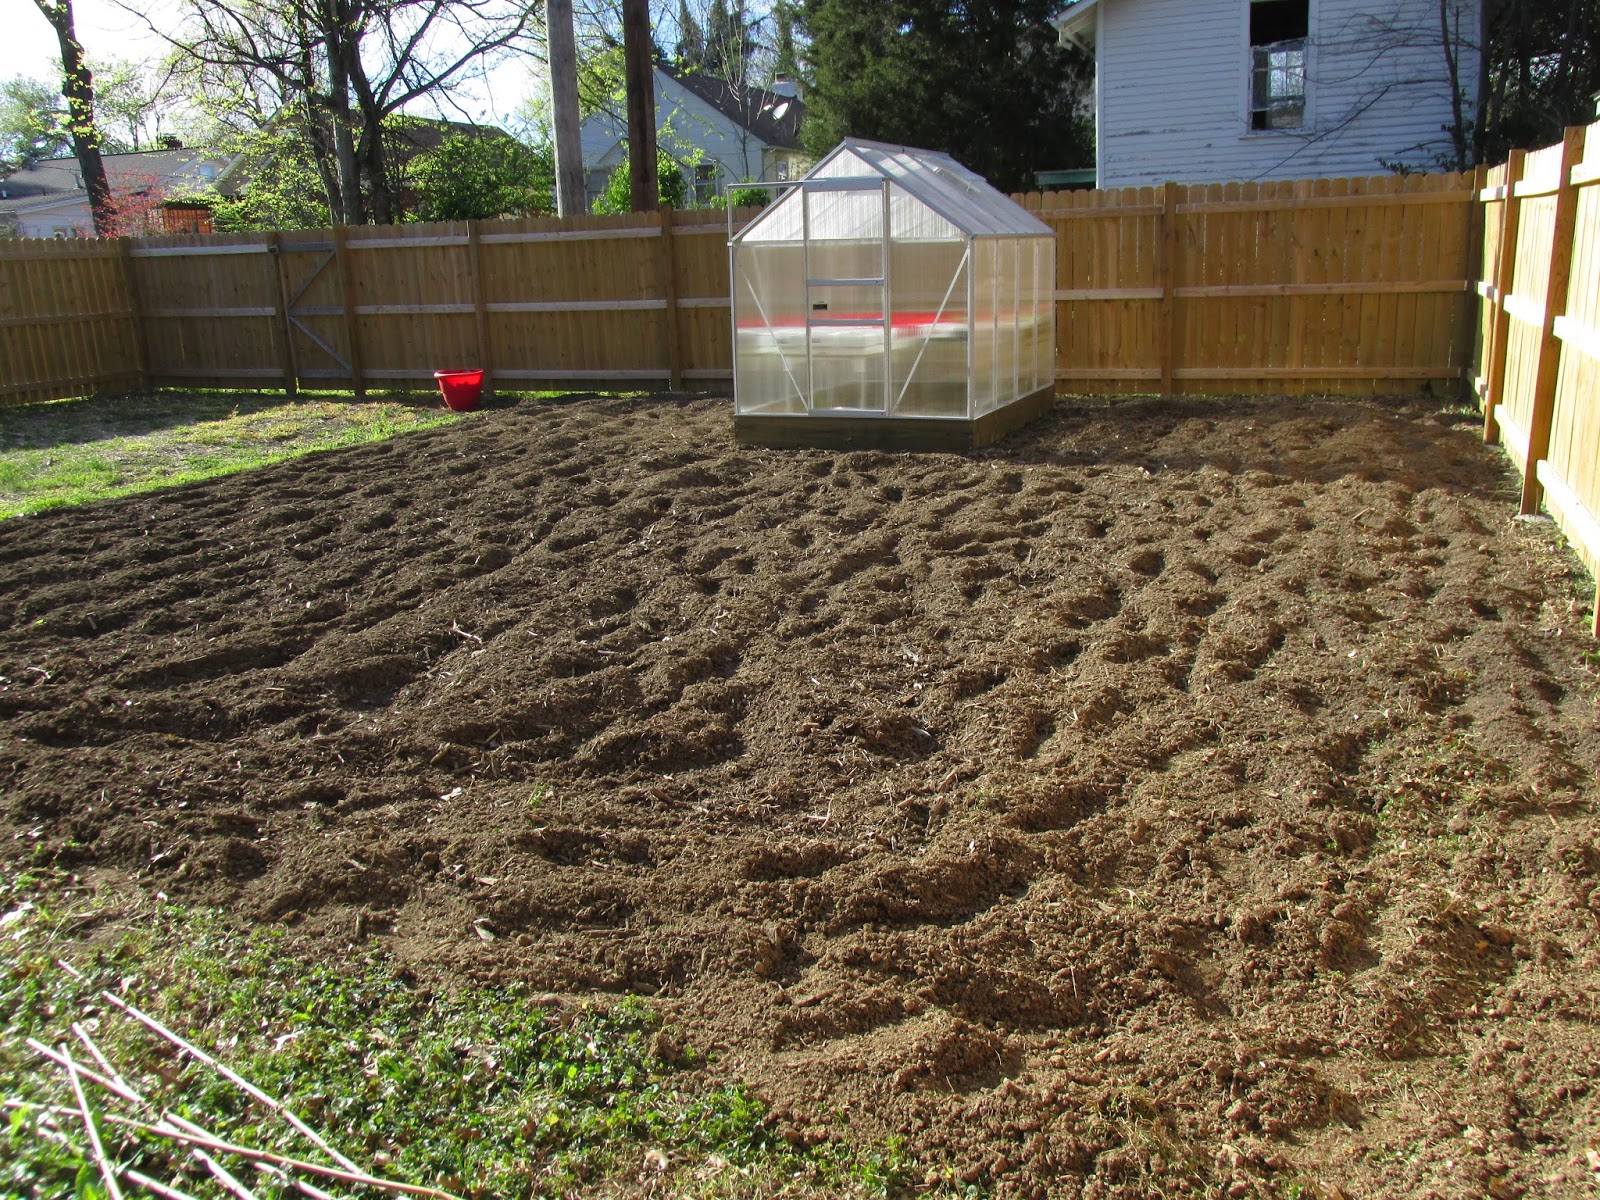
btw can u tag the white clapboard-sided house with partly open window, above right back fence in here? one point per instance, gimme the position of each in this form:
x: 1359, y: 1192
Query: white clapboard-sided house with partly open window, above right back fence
x: 1218, y: 90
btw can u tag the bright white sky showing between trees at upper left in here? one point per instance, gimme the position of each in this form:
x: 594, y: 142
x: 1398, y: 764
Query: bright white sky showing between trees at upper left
x: 110, y: 31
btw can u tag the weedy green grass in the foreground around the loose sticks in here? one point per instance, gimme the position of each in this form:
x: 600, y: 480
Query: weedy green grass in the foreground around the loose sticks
x: 478, y: 1092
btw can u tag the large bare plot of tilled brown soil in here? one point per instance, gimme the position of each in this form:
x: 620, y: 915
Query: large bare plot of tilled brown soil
x: 1180, y: 798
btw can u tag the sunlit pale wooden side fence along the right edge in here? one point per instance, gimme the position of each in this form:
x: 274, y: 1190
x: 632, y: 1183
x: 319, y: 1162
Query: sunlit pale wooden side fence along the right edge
x: 1538, y: 364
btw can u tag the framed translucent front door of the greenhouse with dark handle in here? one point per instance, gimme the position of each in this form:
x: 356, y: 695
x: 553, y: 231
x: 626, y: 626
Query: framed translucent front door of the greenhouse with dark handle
x: 847, y: 295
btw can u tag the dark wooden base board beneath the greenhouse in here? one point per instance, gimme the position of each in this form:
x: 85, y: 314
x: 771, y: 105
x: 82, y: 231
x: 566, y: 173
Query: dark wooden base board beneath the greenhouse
x: 878, y: 433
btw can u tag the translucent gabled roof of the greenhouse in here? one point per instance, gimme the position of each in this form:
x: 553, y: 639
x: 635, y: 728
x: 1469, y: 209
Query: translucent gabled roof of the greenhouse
x: 964, y: 199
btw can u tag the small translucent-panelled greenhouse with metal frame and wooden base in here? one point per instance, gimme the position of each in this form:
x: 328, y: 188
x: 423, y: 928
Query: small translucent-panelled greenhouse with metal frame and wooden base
x: 895, y: 300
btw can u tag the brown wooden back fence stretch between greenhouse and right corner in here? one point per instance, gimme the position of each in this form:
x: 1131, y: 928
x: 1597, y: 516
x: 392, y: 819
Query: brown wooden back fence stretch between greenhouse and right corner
x: 1322, y: 286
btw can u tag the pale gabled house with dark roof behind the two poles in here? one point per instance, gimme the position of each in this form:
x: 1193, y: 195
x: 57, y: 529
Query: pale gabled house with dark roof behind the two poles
x: 721, y: 134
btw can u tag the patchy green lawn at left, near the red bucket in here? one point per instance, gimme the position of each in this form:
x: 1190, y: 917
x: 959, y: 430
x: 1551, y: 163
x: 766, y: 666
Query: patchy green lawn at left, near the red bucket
x: 73, y: 452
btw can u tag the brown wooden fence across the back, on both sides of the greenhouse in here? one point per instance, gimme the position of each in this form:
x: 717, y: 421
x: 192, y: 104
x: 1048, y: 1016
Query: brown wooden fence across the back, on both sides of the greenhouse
x: 1334, y: 286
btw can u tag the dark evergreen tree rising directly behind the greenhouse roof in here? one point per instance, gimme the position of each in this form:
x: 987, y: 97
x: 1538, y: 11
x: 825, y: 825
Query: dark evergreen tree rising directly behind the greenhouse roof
x: 986, y: 84
